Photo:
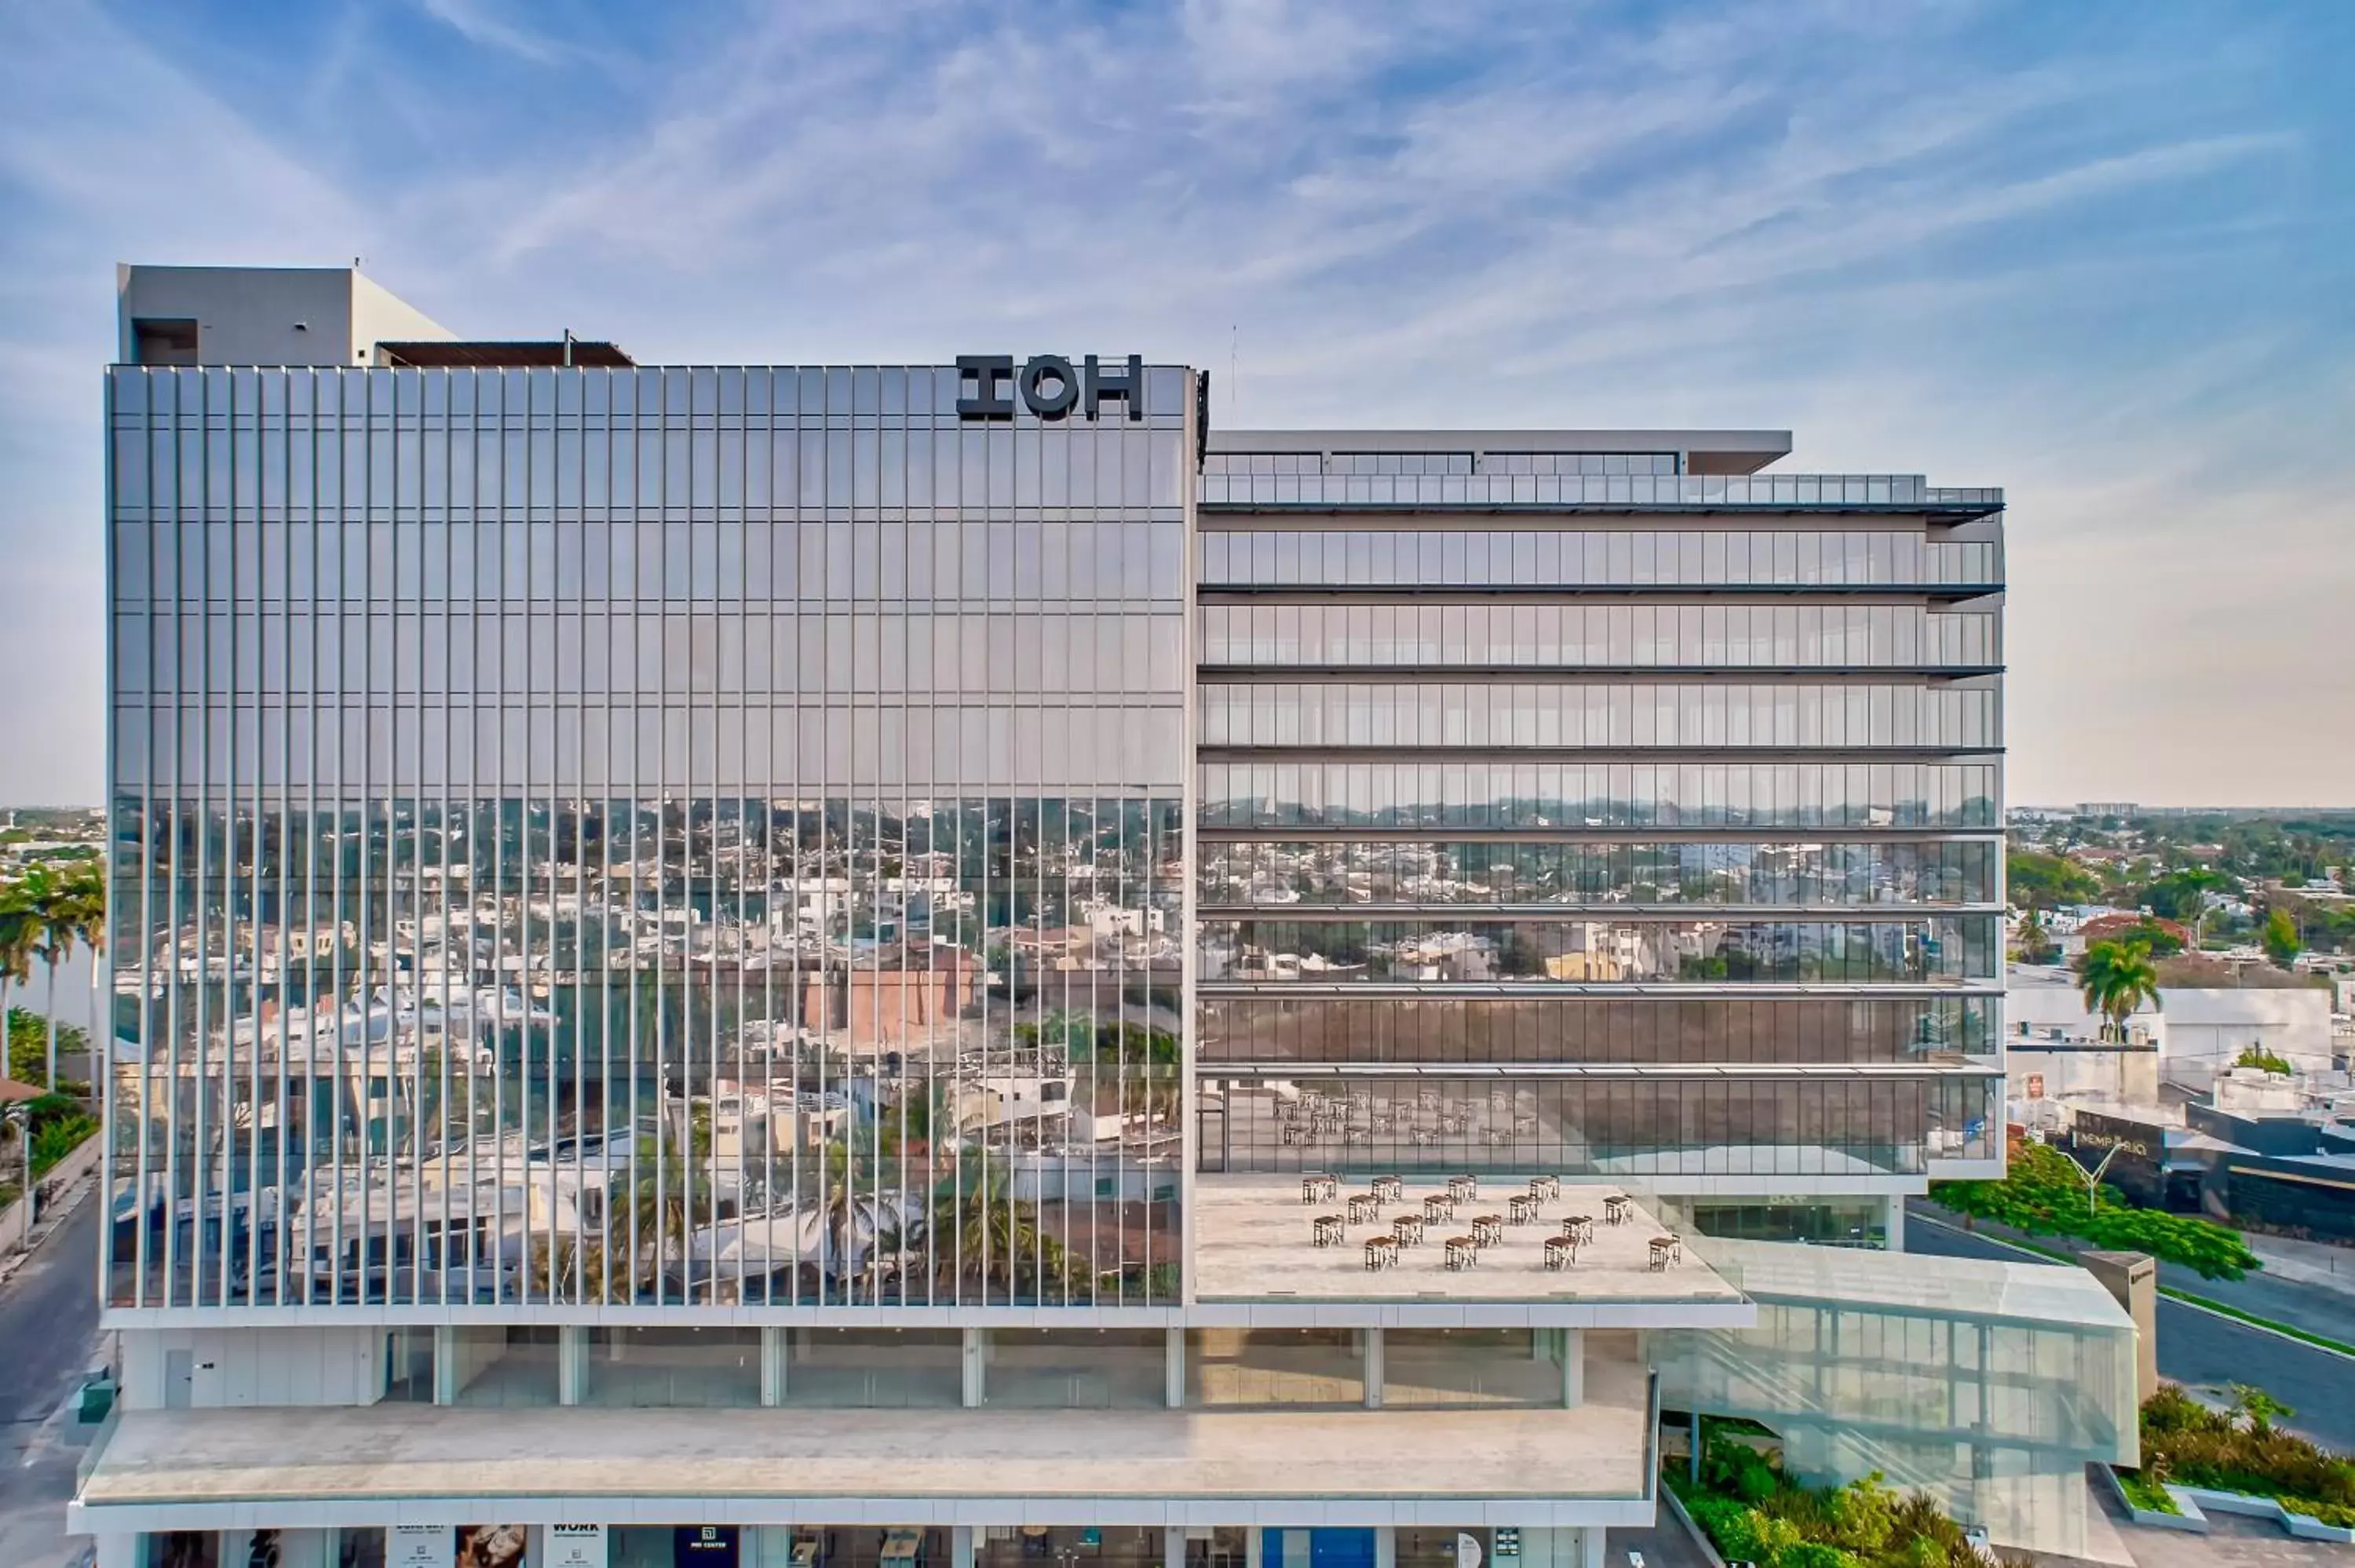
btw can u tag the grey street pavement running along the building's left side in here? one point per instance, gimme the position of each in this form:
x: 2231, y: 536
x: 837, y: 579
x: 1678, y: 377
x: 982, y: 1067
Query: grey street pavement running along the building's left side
x: 48, y: 1341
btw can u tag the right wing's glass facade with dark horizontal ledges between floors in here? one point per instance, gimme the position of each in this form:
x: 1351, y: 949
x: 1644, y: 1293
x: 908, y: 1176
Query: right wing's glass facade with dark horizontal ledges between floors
x: 1572, y: 811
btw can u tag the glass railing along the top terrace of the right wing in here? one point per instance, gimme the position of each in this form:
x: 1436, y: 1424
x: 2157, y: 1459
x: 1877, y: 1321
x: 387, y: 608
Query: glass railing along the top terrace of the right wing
x: 1591, y: 491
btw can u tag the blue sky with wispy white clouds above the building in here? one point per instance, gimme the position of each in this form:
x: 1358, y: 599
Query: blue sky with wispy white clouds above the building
x: 2090, y: 253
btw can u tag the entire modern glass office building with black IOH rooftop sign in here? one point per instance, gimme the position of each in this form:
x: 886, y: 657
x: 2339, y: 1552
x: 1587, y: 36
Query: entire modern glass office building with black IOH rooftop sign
x: 946, y: 966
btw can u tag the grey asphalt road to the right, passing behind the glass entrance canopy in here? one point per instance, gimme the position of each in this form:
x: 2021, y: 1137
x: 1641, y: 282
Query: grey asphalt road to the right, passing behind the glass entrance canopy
x: 2213, y: 1353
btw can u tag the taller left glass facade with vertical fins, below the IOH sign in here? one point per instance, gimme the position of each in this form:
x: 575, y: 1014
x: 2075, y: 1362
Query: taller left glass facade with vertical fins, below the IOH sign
x: 656, y: 837
